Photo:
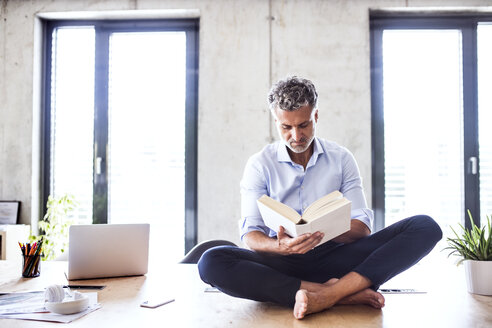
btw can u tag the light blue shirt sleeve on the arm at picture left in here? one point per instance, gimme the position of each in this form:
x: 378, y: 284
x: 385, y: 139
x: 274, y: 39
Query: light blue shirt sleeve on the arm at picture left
x: 253, y: 186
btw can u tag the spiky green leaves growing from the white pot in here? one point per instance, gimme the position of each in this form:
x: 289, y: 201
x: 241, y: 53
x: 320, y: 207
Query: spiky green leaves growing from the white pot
x: 474, y: 244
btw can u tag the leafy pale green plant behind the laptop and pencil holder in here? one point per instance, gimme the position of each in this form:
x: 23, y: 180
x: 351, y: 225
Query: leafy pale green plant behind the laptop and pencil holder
x: 55, y: 224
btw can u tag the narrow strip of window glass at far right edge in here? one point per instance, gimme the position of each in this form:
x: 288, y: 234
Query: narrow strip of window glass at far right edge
x: 485, y: 117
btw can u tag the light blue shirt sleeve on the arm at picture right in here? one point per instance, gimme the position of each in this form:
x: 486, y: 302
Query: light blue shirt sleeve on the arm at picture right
x: 353, y: 191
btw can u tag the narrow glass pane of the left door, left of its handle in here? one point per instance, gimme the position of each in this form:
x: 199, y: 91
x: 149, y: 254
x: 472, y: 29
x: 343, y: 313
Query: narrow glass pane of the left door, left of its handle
x: 72, y: 113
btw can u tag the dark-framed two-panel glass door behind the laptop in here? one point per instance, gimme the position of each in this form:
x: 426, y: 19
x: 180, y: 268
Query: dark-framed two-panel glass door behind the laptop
x: 121, y: 125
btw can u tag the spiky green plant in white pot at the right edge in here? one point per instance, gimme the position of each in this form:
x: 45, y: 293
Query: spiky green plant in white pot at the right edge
x: 474, y: 246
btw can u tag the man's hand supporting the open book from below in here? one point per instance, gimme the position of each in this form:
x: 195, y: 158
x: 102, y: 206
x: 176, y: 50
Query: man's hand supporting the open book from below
x: 298, y: 245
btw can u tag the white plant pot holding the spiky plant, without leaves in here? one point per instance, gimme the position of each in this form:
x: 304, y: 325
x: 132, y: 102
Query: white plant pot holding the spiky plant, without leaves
x: 479, y: 277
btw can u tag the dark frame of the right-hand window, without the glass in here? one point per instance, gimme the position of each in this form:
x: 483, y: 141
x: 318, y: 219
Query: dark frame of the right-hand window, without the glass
x: 467, y: 23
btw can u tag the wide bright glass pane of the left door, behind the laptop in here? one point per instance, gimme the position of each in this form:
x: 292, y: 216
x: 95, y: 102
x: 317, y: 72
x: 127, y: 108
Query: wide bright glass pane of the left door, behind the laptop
x: 147, y: 134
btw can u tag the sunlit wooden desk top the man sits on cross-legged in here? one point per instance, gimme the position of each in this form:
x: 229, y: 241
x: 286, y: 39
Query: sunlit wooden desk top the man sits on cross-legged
x: 446, y: 303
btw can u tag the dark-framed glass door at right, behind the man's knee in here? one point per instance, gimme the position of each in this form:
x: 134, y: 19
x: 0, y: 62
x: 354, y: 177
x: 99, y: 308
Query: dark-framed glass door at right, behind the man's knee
x: 431, y: 107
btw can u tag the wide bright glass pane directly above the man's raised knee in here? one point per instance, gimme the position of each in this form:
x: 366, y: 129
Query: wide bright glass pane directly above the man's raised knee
x: 423, y: 124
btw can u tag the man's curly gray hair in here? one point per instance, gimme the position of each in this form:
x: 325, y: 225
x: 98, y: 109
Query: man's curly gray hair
x: 291, y: 94
